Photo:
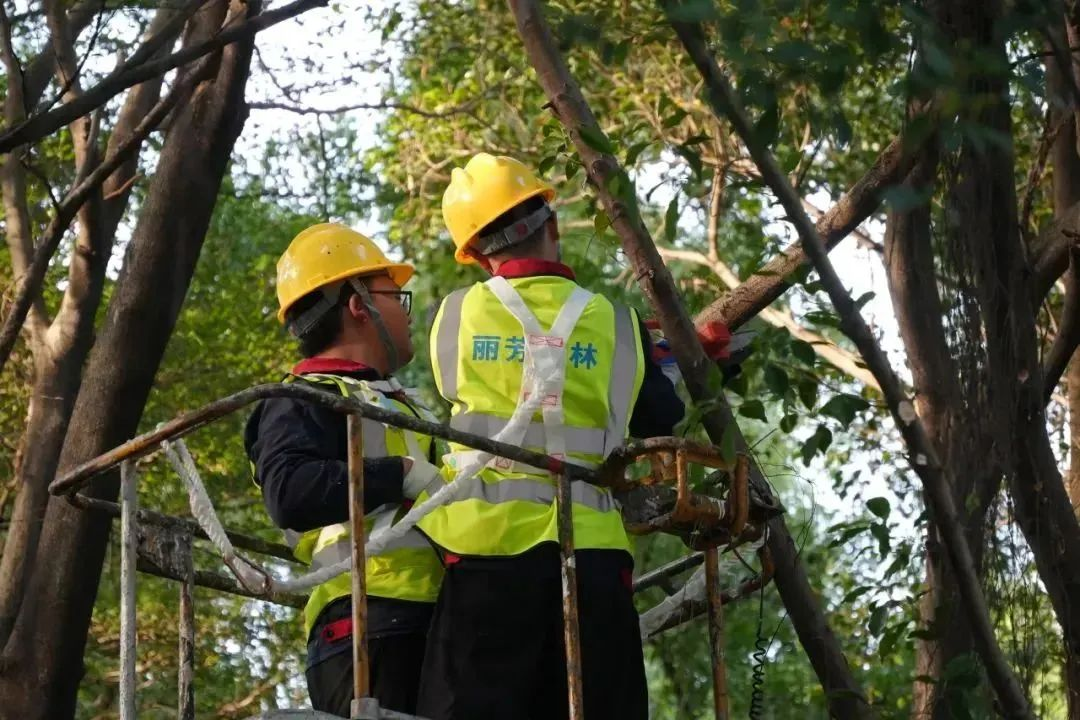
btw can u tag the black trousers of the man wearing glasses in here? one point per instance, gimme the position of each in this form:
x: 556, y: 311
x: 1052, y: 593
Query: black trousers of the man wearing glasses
x: 396, y: 674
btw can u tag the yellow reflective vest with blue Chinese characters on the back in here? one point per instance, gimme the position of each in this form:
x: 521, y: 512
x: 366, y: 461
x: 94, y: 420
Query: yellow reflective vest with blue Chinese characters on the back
x: 578, y: 357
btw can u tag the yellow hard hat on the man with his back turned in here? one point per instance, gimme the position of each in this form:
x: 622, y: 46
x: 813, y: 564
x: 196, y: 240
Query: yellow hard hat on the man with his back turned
x: 484, y: 189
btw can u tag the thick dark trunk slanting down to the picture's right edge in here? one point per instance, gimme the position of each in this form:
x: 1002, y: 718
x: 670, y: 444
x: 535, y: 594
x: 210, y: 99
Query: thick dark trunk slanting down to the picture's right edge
x: 981, y: 203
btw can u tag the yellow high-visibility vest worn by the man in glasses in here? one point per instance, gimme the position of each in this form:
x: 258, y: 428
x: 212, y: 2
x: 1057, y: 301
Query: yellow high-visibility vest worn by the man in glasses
x: 409, y: 569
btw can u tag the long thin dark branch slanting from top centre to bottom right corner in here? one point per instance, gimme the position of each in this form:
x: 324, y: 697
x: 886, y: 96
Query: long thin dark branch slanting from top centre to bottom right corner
x: 925, y: 461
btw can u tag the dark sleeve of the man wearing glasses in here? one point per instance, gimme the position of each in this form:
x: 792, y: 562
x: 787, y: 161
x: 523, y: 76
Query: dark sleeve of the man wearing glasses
x: 300, y: 453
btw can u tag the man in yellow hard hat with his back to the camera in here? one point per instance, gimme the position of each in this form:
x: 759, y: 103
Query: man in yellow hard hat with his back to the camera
x: 534, y: 360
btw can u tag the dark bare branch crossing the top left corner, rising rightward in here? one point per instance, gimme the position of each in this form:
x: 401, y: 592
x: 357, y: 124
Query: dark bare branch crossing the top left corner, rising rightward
x: 141, y: 69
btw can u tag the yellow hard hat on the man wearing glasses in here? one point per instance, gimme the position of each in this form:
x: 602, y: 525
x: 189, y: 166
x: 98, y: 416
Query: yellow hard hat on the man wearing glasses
x: 326, y: 254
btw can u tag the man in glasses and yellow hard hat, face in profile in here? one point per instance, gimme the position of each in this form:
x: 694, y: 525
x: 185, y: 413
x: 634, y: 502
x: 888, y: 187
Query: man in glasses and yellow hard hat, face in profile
x: 343, y: 300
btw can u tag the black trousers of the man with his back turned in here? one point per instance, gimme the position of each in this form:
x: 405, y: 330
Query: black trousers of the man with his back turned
x: 496, y: 648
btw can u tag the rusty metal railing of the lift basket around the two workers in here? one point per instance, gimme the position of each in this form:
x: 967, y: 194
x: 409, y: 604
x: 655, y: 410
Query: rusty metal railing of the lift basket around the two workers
x: 164, y: 548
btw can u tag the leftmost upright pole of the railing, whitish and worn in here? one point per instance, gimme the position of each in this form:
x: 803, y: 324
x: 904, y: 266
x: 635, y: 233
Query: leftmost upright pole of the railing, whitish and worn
x: 129, y: 541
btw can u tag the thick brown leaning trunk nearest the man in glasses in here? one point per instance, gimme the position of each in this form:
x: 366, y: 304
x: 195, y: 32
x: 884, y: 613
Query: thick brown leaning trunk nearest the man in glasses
x: 45, y: 655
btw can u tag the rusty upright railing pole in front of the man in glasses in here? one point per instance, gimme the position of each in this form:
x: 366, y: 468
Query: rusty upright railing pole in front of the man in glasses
x: 360, y: 669
